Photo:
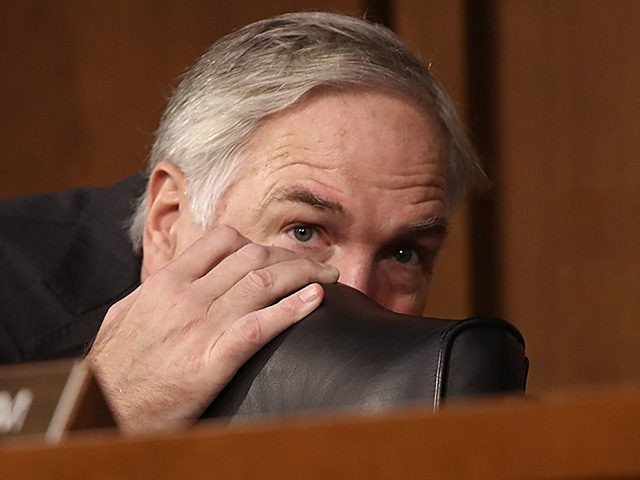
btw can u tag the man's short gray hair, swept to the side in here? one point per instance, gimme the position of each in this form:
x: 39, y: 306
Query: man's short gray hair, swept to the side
x: 270, y: 65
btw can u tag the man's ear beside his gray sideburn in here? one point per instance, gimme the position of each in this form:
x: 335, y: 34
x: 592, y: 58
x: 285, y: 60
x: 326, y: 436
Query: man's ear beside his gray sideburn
x: 166, y: 204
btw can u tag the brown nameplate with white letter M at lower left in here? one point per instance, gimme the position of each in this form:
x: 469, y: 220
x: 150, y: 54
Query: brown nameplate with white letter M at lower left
x: 50, y: 399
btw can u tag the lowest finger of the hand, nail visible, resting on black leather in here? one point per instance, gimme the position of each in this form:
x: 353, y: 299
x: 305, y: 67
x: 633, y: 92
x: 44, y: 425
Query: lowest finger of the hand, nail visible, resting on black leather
x: 250, y: 333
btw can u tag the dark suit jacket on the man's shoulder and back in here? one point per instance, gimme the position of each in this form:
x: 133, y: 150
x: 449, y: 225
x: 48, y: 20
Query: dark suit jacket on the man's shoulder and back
x: 65, y: 258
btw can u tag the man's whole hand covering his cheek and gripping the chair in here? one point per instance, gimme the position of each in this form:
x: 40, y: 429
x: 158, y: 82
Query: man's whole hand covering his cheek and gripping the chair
x: 166, y: 350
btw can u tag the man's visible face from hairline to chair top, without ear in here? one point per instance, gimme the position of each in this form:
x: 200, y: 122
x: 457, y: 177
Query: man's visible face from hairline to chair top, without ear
x: 354, y: 179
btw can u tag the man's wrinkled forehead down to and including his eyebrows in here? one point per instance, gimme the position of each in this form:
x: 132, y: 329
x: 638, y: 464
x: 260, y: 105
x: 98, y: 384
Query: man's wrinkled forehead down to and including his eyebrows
x: 373, y: 155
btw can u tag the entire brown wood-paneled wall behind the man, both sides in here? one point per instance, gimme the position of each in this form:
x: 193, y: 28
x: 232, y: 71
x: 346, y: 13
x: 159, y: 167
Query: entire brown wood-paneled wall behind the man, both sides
x: 550, y: 90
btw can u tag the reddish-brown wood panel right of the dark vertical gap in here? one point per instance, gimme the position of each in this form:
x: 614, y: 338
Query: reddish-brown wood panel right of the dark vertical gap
x: 569, y: 121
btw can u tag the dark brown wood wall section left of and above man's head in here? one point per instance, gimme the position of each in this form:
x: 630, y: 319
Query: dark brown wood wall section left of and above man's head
x: 83, y: 83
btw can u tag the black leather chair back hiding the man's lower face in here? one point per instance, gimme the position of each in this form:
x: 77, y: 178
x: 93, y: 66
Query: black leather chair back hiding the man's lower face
x: 353, y: 354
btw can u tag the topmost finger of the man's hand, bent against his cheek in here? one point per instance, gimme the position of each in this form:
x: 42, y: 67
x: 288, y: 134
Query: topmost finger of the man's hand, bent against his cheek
x: 205, y: 253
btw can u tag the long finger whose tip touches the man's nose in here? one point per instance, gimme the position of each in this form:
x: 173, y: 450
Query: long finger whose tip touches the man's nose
x: 263, y: 287
